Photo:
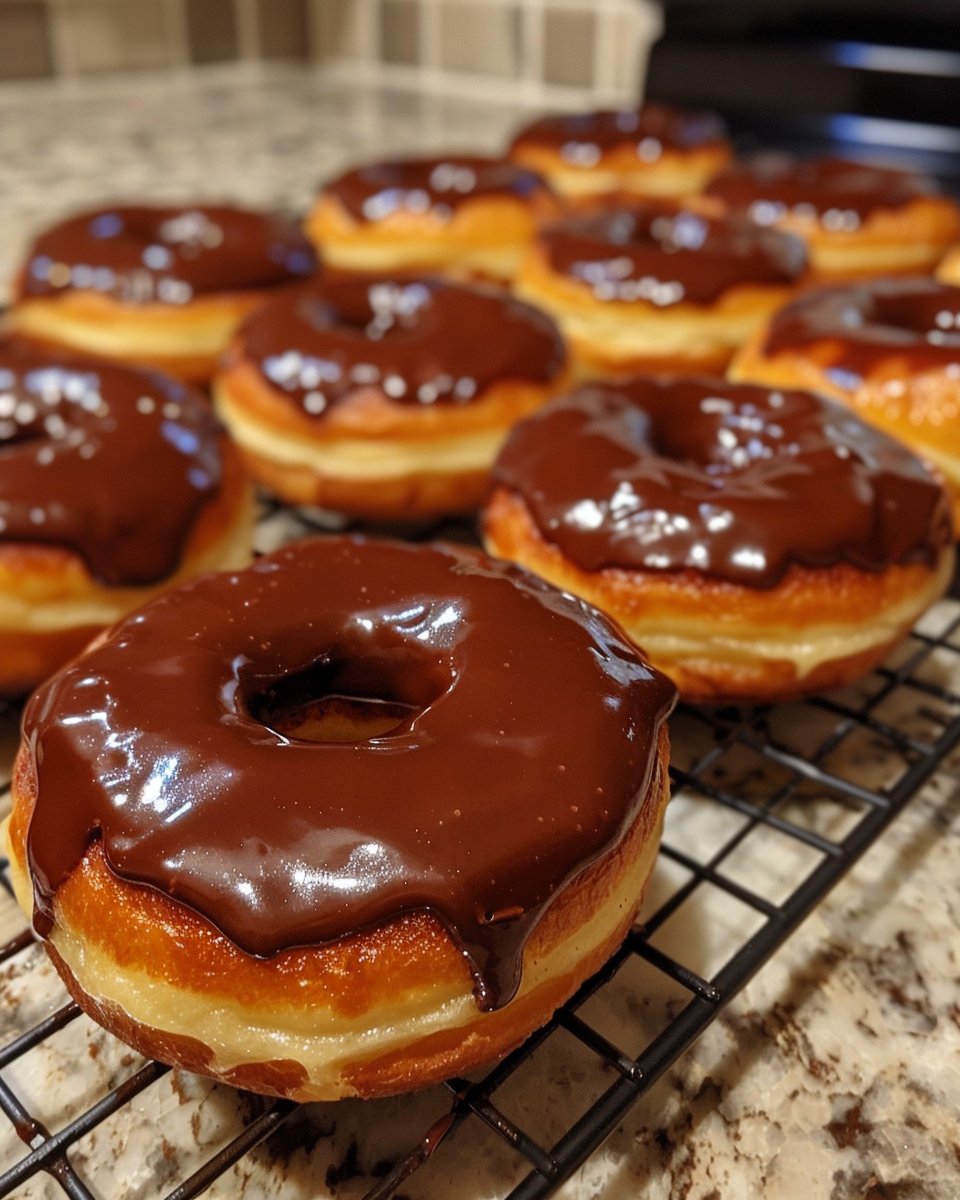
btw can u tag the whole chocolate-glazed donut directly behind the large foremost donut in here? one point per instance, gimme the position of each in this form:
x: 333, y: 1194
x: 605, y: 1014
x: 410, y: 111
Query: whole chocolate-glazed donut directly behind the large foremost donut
x: 385, y: 399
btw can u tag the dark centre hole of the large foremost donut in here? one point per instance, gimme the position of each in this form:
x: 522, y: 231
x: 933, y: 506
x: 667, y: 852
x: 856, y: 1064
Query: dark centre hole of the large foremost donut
x: 349, y: 700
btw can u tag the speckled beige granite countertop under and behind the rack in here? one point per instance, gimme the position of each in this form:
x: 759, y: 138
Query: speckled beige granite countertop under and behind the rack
x: 835, y: 1075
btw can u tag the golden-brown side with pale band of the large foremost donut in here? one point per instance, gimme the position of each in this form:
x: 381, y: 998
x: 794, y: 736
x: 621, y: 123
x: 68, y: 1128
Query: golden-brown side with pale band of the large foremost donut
x: 374, y: 1015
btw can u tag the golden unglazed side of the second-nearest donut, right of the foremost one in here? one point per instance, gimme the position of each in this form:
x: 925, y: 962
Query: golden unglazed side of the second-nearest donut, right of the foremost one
x: 722, y: 644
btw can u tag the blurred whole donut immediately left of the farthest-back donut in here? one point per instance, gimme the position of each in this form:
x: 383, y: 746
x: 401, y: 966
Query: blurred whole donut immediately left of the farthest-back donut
x: 461, y: 215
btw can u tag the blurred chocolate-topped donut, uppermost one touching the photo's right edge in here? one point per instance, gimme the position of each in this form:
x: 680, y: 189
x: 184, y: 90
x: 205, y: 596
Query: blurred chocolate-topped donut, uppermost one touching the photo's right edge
x: 857, y: 220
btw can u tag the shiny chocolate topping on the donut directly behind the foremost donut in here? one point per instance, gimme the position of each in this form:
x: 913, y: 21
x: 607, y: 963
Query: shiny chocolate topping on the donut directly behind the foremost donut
x: 421, y: 341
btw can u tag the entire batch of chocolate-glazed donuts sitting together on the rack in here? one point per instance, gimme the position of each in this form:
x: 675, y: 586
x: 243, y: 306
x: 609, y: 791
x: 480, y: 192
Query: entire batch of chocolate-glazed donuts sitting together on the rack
x: 329, y: 825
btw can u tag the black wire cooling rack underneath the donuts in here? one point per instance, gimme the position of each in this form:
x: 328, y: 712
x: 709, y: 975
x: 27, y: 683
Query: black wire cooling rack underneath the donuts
x: 772, y: 807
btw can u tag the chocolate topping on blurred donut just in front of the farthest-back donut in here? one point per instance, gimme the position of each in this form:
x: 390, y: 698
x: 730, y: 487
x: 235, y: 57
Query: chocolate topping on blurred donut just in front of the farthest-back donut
x: 661, y: 255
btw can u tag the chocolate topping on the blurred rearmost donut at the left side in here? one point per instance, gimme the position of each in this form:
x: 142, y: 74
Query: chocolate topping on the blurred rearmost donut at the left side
x: 167, y: 255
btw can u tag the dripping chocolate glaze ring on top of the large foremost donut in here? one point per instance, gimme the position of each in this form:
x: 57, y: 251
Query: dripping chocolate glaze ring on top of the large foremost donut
x: 479, y: 808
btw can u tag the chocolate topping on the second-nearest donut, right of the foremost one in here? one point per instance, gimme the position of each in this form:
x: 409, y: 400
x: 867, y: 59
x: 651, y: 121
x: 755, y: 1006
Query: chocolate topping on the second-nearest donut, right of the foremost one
x: 729, y: 481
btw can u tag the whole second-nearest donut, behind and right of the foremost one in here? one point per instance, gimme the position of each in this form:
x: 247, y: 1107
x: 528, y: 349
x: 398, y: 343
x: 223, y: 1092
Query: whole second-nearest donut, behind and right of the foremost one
x: 758, y: 544
